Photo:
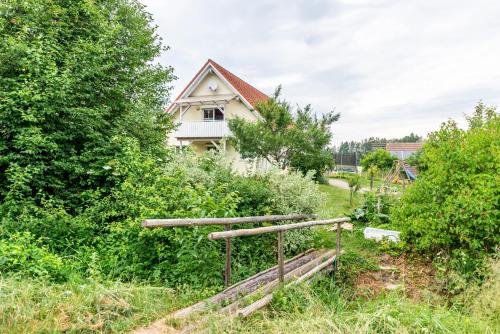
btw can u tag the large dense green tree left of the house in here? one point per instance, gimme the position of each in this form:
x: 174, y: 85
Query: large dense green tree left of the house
x: 74, y: 75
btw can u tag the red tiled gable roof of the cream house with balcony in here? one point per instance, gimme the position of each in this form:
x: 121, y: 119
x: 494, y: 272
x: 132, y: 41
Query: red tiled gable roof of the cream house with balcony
x: 247, y: 91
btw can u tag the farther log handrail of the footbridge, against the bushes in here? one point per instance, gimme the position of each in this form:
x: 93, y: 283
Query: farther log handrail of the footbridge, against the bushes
x: 152, y: 223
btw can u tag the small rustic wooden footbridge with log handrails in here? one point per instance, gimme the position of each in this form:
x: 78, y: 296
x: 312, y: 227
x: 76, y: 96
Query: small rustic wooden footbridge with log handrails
x: 239, y: 299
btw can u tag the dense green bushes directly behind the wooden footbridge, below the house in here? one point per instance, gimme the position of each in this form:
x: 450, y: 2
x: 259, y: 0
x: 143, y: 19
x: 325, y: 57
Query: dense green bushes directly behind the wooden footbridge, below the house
x: 105, y: 237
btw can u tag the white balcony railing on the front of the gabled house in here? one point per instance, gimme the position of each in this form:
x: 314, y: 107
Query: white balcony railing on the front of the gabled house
x: 202, y: 130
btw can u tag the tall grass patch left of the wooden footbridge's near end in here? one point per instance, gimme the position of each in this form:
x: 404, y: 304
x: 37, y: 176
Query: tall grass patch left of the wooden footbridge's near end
x: 35, y: 306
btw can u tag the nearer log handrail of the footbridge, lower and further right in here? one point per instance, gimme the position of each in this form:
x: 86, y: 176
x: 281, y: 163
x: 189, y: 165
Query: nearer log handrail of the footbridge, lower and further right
x: 269, y: 229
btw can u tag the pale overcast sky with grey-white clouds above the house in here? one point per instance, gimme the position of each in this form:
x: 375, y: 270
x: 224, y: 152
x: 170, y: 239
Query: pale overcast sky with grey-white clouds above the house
x: 389, y: 67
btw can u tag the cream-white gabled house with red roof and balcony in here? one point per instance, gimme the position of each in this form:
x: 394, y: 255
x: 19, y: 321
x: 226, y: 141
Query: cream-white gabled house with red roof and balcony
x: 202, y: 109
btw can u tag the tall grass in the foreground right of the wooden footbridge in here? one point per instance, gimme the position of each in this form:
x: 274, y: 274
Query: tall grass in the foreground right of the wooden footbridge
x: 324, y: 308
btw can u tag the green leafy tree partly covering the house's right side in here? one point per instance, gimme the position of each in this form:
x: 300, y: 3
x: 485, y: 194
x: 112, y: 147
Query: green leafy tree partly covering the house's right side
x: 298, y: 140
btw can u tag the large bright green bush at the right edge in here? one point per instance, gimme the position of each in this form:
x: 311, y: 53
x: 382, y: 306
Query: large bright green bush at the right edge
x: 451, y: 211
